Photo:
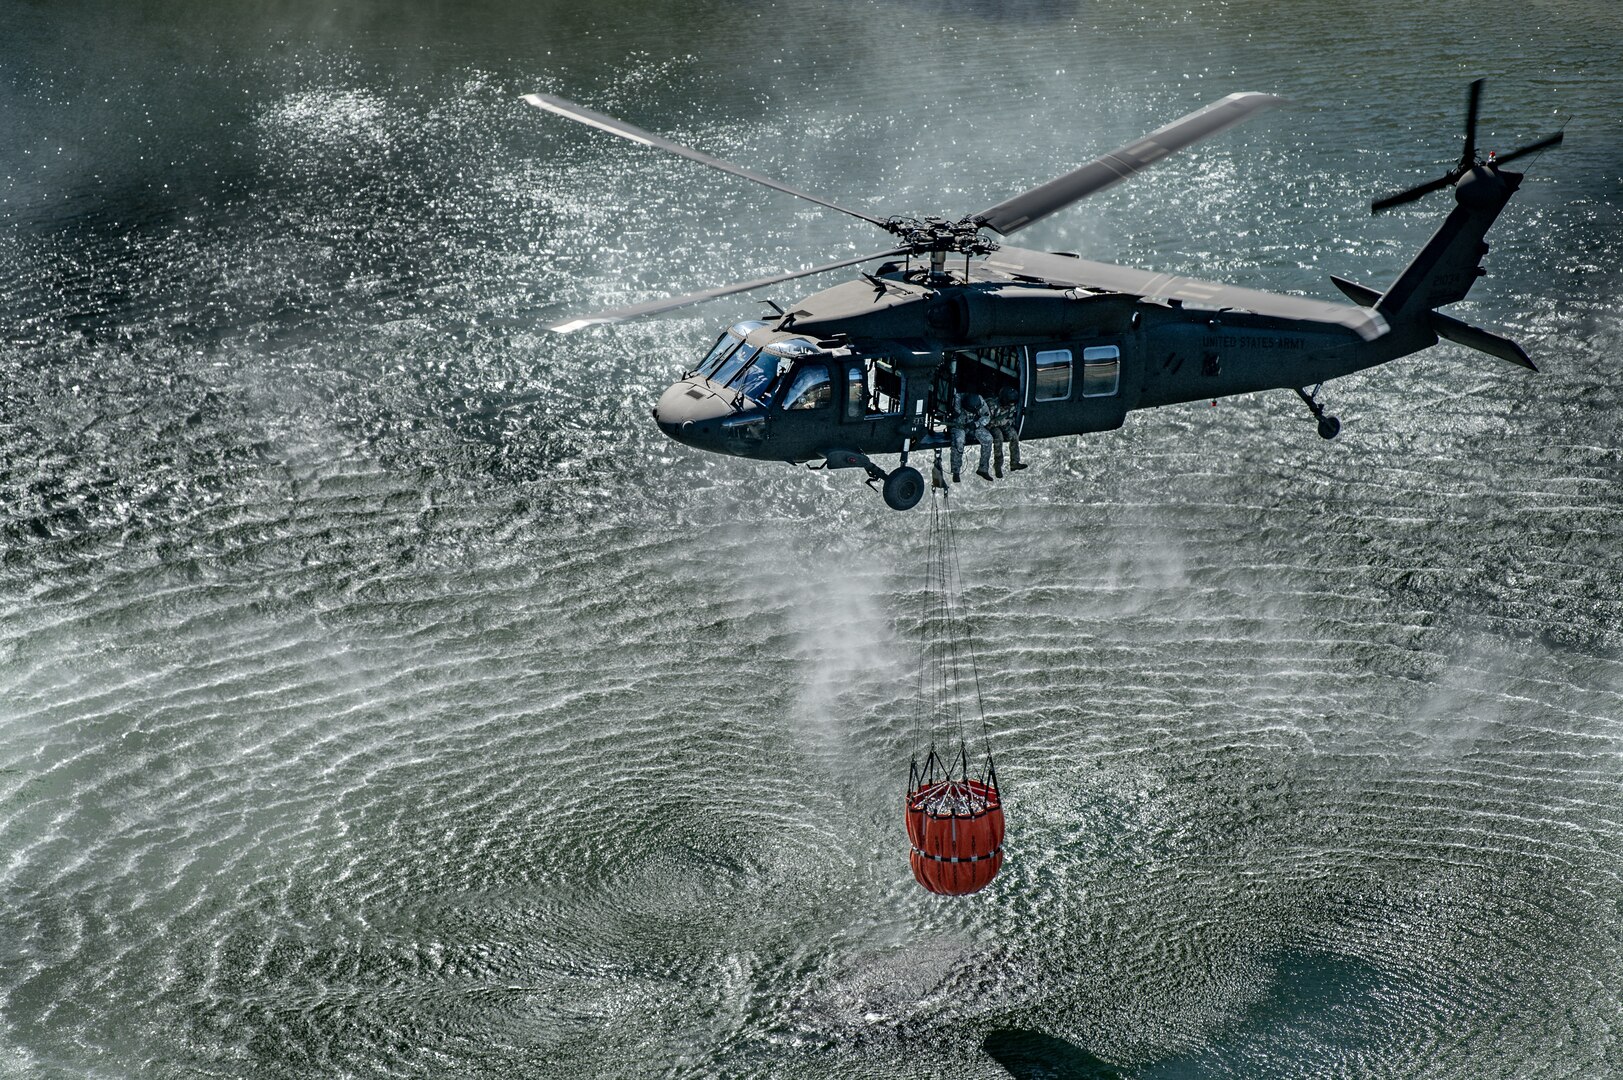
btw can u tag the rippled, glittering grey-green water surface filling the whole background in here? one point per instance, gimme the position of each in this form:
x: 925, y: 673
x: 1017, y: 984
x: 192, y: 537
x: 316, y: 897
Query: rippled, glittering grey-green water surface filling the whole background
x: 384, y: 696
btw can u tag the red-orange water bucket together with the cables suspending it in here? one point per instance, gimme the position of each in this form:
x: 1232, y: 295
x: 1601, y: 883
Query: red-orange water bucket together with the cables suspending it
x: 955, y: 819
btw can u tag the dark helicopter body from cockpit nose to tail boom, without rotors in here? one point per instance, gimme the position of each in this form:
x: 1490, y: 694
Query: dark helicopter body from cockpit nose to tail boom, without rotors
x: 869, y: 366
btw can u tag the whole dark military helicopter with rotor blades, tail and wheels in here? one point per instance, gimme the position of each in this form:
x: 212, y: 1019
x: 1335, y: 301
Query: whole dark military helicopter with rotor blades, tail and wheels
x: 871, y: 366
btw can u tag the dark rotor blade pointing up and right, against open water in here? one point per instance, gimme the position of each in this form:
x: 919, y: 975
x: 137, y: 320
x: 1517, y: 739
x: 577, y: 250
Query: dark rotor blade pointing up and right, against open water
x: 1101, y: 173
